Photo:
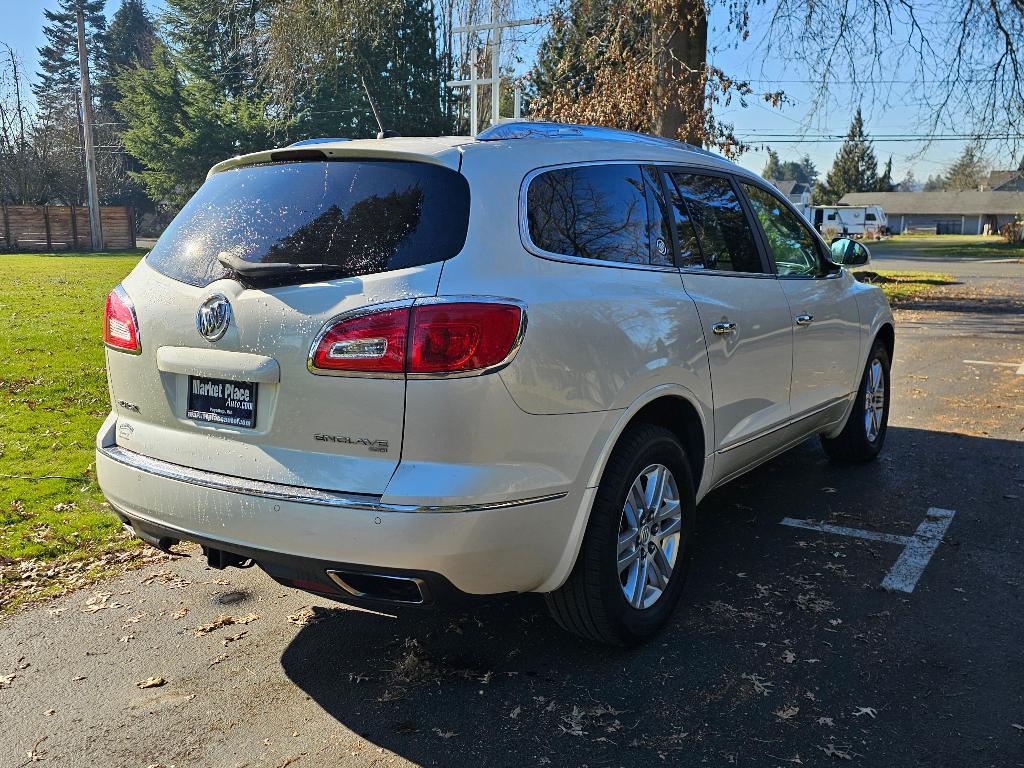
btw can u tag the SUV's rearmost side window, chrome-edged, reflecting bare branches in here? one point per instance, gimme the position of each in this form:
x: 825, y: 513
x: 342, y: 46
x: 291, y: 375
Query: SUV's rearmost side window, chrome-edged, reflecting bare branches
x: 591, y: 212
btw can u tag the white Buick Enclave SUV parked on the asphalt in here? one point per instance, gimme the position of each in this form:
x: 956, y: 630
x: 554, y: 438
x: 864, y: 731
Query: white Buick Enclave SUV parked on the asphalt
x: 422, y: 370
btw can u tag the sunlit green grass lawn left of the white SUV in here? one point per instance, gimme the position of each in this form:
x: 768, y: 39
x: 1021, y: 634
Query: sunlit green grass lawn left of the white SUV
x: 53, y: 401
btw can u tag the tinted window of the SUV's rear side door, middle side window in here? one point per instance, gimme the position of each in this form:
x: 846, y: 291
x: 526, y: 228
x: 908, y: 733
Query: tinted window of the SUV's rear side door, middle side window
x: 717, y: 217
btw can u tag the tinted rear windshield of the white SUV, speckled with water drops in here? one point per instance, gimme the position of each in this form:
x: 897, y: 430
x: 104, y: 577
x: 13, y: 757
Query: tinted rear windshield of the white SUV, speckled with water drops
x: 365, y: 217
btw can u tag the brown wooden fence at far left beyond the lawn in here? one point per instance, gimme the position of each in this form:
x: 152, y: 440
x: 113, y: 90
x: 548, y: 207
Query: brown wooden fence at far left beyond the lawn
x: 64, y: 229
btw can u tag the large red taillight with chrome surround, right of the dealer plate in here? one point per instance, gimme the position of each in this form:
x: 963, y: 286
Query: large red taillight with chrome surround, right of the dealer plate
x: 443, y: 338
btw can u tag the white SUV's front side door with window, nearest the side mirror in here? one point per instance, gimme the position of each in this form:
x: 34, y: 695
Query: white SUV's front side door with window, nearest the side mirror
x: 826, y: 321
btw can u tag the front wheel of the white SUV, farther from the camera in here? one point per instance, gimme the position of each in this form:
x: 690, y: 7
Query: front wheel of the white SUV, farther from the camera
x: 865, y: 434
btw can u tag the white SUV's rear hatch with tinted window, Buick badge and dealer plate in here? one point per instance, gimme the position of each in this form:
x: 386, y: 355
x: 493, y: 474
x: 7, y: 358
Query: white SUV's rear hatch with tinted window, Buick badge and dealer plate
x: 245, y: 404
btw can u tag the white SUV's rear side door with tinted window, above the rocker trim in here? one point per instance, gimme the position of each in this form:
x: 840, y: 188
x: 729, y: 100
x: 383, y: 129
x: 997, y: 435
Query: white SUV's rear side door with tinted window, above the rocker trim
x: 744, y: 314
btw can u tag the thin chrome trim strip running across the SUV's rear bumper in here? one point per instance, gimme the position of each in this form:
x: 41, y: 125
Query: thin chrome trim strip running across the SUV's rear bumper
x: 294, y: 494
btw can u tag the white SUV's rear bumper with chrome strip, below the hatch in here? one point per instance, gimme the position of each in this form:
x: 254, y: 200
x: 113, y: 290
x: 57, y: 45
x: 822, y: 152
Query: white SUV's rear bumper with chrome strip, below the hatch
x: 301, y: 534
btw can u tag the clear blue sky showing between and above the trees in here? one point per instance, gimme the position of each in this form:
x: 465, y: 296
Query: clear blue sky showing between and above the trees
x: 888, y: 111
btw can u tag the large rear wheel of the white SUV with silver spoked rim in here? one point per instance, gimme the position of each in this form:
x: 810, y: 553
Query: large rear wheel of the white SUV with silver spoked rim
x: 603, y: 601
